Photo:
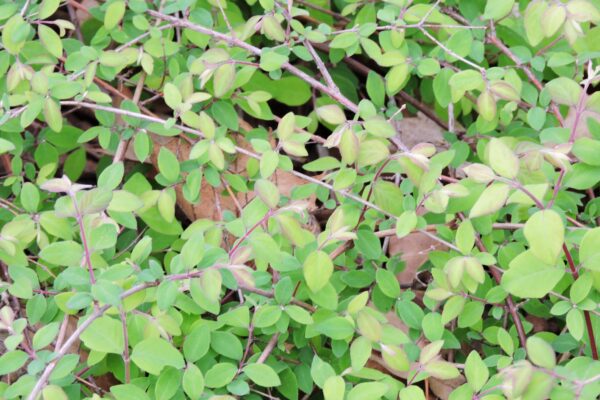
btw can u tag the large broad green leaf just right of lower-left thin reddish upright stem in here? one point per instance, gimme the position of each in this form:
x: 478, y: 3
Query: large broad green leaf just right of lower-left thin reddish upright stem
x: 152, y: 355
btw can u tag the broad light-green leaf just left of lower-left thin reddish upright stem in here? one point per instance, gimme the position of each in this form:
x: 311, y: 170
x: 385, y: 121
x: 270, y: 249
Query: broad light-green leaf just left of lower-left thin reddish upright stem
x: 104, y: 335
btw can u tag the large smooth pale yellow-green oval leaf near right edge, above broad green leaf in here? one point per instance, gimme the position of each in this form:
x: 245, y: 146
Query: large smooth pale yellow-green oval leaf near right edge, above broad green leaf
x: 545, y: 234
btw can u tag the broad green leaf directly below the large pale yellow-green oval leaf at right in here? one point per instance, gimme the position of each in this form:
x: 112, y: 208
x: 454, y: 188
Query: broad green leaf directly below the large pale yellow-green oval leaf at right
x: 529, y: 277
